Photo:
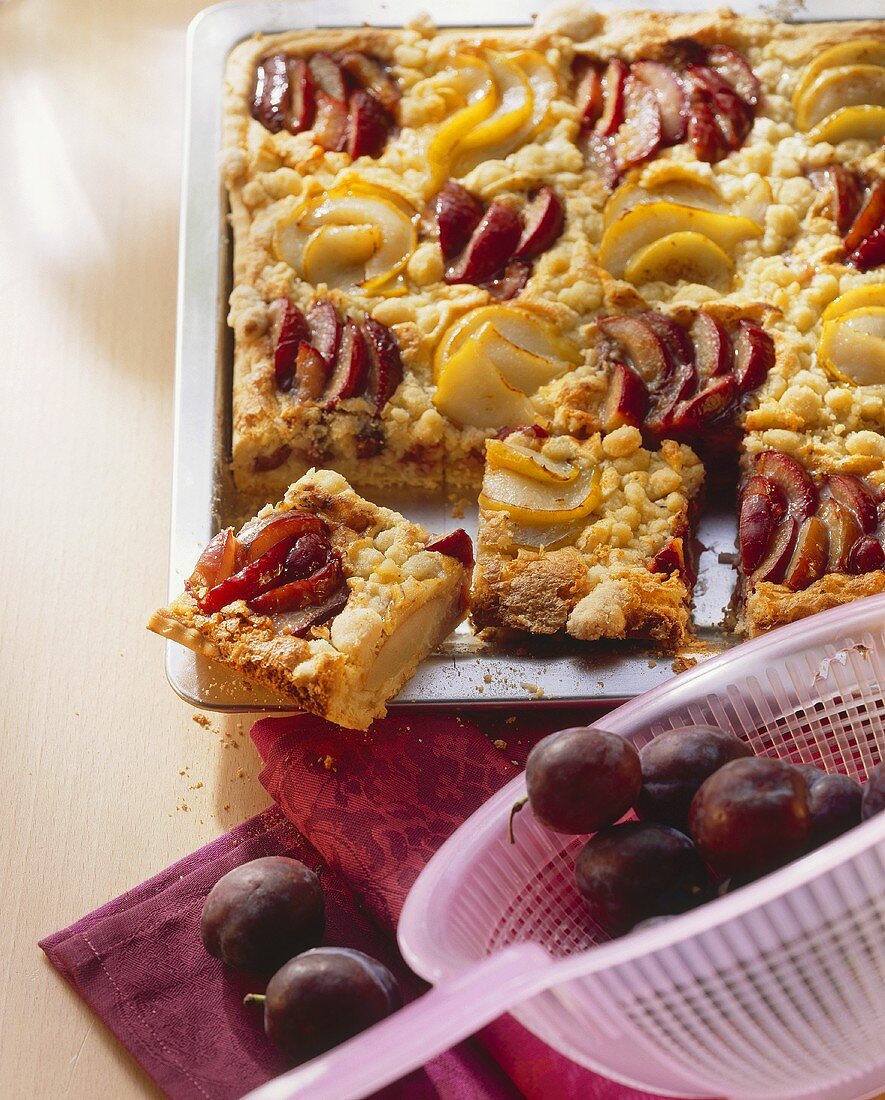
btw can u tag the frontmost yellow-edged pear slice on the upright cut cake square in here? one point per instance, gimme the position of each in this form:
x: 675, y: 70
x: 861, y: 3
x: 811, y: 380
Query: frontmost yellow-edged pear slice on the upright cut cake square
x: 528, y: 501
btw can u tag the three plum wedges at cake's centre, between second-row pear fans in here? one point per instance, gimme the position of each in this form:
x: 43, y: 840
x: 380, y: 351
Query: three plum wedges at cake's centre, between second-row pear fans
x: 494, y: 246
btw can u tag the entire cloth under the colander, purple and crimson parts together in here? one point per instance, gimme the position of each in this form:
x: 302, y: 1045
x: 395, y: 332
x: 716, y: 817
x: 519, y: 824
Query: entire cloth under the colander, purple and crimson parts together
x: 375, y: 808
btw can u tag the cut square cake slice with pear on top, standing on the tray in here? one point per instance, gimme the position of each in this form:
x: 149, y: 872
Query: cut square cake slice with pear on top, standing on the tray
x: 587, y: 537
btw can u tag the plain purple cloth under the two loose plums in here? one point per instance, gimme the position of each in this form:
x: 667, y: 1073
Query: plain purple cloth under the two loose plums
x: 140, y: 965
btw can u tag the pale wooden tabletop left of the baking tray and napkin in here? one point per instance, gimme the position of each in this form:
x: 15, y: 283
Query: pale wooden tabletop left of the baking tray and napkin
x: 107, y: 777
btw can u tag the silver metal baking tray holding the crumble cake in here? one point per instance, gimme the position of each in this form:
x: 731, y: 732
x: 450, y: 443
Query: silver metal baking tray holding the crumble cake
x: 466, y: 673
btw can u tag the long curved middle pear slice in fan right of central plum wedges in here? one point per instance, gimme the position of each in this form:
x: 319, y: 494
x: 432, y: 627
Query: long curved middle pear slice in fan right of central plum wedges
x: 639, y: 227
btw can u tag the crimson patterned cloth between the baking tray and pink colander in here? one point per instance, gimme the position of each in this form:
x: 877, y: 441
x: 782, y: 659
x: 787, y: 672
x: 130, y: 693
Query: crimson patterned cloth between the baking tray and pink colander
x: 379, y: 806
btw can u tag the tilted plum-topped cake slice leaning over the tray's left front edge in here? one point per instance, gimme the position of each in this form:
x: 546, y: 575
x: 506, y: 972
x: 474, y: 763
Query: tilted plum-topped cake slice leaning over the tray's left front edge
x: 326, y: 599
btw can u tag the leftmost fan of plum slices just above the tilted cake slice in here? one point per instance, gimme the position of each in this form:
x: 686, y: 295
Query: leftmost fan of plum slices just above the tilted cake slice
x: 322, y: 361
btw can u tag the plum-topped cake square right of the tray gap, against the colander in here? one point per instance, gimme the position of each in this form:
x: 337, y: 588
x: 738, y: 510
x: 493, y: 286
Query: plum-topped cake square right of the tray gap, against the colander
x: 810, y: 537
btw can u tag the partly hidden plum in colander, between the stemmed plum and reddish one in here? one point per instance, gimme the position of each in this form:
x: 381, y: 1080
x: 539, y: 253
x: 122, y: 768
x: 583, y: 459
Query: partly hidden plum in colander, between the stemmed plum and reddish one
x: 674, y: 766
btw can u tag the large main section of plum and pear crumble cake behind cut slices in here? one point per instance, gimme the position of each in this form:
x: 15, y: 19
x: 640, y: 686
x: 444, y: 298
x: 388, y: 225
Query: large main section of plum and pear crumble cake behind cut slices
x: 603, y: 222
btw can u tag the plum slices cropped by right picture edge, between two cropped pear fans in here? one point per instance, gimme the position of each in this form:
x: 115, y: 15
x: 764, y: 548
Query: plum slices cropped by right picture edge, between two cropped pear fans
x: 858, y: 211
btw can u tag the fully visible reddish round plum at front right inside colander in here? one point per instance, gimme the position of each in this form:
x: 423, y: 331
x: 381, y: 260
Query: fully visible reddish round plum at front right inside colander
x: 751, y: 817
